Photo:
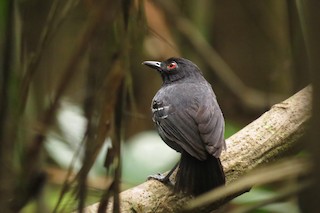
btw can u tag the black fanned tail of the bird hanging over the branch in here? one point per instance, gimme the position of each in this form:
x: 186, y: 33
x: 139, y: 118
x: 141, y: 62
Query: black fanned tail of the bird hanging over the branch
x: 196, y: 177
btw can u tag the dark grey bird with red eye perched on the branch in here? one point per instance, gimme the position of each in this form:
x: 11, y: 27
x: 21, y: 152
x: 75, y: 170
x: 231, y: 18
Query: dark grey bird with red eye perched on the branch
x: 189, y: 120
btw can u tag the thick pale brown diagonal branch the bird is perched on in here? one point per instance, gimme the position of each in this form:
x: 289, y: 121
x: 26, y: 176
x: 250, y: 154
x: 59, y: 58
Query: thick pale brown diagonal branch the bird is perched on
x: 270, y: 137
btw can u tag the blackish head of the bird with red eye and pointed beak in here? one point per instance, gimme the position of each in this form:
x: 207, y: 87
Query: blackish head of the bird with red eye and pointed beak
x: 174, y: 69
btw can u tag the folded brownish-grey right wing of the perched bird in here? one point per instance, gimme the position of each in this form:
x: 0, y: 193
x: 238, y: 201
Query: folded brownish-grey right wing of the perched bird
x: 210, y: 123
